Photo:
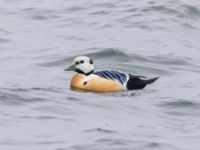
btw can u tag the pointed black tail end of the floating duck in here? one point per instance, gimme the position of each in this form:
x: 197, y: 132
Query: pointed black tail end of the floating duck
x: 135, y: 82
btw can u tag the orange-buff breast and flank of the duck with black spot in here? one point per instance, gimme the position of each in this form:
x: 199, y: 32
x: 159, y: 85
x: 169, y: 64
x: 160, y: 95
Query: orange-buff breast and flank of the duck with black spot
x: 95, y: 83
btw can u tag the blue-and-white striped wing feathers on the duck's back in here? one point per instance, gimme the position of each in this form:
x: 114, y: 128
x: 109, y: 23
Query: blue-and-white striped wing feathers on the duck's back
x: 119, y: 76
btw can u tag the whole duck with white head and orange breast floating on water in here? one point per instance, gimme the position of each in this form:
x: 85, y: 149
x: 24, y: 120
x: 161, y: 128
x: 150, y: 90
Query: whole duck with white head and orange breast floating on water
x: 87, y: 79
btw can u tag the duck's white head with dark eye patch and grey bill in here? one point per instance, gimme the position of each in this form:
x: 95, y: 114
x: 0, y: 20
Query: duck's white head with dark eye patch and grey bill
x: 83, y: 65
